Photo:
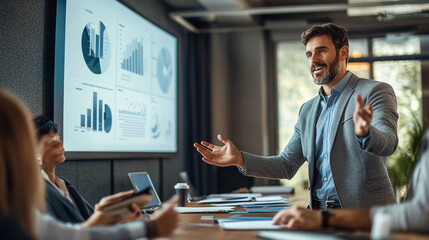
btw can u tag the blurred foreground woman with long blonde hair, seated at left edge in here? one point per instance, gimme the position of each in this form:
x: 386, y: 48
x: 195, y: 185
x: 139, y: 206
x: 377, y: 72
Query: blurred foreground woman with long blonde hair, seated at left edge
x: 22, y: 193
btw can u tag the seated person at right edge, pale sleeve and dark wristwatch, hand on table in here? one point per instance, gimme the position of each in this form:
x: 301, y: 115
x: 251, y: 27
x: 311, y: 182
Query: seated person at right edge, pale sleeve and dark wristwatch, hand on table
x: 410, y: 215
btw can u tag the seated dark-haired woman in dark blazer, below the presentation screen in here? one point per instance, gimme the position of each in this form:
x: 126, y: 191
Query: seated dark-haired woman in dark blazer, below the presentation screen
x: 64, y: 202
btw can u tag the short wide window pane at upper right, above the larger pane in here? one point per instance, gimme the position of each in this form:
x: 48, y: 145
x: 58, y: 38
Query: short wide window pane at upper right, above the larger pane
x: 396, y: 44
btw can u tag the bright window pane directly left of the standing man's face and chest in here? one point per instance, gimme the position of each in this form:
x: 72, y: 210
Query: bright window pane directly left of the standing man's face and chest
x: 294, y: 87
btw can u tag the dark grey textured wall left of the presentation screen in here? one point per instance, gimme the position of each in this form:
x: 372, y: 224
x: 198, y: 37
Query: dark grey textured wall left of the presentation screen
x: 21, y: 50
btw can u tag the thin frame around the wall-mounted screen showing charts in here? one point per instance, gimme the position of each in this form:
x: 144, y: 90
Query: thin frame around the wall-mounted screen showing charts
x: 59, y: 93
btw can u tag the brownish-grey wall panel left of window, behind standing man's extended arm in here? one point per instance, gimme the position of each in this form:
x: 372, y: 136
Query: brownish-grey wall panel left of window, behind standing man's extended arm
x: 237, y: 97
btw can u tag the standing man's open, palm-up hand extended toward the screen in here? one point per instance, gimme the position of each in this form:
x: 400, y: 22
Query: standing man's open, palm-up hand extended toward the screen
x: 227, y: 155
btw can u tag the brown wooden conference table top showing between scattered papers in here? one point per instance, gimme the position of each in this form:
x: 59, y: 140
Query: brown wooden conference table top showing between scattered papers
x: 192, y: 226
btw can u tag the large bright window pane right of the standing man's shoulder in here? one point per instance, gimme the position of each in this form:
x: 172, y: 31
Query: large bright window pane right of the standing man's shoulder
x: 406, y: 79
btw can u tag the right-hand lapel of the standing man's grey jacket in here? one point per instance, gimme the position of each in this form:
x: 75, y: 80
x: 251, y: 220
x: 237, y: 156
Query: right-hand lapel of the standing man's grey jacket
x: 342, y: 103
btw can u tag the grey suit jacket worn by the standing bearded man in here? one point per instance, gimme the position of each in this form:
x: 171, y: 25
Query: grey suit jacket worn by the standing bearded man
x: 360, y: 175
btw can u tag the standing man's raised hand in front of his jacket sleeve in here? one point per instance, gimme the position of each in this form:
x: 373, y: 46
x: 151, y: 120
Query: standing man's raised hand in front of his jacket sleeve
x: 362, y: 117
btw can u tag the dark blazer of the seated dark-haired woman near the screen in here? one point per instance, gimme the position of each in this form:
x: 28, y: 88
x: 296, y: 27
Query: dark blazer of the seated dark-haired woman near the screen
x: 62, y: 209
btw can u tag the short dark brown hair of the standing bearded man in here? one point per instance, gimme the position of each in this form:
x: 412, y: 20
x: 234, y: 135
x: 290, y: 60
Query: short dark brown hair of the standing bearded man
x: 337, y: 34
